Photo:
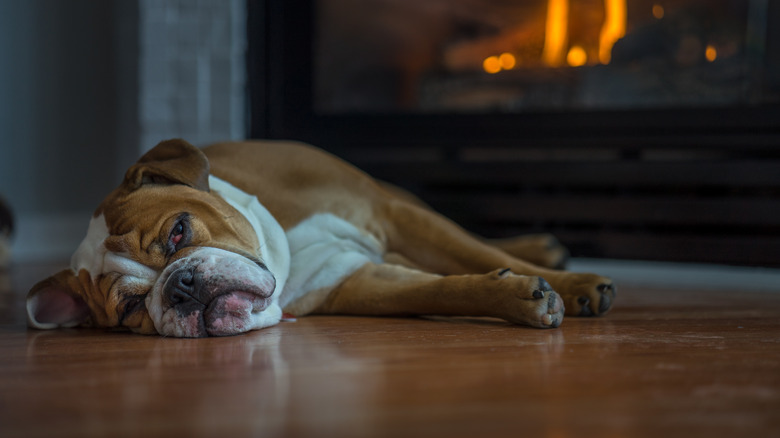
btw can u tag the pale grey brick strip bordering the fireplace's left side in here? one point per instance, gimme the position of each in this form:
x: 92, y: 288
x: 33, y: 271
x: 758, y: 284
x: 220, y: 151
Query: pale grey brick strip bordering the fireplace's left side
x: 191, y: 70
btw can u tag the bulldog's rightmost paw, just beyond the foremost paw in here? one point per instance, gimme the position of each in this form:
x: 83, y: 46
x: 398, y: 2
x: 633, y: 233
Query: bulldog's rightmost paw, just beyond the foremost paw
x: 587, y: 294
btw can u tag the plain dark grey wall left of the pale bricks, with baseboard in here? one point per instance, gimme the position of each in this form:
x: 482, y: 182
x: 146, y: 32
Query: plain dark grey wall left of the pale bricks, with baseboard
x: 61, y: 98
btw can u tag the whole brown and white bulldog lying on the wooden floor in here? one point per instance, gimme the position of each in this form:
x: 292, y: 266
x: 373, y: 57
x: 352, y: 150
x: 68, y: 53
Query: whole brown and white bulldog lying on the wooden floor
x: 222, y: 240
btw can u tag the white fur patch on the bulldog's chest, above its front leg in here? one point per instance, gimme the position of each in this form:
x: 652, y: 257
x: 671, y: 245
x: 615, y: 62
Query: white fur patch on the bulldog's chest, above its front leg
x: 324, y: 250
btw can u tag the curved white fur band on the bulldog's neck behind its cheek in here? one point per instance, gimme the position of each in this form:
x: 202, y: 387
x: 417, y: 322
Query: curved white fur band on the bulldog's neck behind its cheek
x: 270, y: 233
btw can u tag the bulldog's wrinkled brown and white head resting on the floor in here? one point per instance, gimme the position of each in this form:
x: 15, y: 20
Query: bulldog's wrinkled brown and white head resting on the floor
x: 163, y: 254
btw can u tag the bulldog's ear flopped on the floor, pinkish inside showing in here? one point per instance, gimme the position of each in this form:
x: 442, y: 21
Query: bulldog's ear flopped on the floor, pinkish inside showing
x: 54, y: 303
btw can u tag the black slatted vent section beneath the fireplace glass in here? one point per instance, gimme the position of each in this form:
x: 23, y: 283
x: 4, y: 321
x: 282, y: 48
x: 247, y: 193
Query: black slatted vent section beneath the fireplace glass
x: 651, y: 204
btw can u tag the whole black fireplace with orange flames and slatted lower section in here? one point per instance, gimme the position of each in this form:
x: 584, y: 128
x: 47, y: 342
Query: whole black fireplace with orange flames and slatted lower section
x: 644, y: 129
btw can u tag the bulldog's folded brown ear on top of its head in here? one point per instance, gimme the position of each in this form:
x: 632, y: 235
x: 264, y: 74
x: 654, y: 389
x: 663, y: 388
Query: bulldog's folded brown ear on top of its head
x: 171, y: 162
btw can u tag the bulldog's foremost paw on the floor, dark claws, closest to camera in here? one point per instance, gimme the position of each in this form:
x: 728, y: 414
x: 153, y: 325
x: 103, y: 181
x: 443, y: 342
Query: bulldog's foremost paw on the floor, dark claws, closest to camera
x: 531, y: 300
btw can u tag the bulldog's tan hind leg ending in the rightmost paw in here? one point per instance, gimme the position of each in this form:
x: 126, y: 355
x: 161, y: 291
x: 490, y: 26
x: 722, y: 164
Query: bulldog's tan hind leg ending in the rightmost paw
x: 436, y: 244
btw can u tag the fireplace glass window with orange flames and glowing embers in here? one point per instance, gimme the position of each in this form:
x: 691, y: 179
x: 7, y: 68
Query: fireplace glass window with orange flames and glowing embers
x: 498, y: 56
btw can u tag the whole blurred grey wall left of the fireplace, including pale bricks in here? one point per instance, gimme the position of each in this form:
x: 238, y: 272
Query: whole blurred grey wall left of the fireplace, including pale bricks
x: 86, y: 86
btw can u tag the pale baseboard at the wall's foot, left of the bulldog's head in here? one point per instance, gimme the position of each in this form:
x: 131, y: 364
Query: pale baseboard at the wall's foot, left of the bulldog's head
x: 47, y: 237
